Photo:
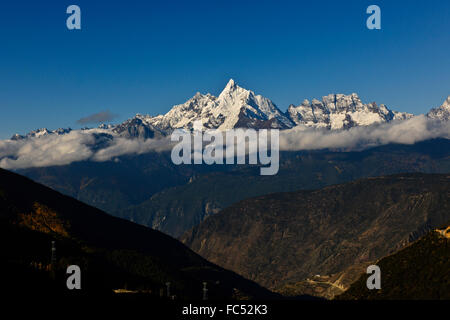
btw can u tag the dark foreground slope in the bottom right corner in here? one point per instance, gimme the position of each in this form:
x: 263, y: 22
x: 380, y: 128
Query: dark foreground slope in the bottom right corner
x: 420, y: 271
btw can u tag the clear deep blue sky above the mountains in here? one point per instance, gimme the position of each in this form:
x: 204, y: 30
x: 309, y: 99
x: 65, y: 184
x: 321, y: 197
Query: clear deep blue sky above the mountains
x: 145, y: 56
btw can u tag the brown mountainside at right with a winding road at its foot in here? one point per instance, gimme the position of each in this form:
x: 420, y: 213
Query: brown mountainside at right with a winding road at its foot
x: 287, y: 237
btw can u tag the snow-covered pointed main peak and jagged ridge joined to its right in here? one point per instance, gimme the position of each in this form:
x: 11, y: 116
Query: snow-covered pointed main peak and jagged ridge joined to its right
x: 238, y: 107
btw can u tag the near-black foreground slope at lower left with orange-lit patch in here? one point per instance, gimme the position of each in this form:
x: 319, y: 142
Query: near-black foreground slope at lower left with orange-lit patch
x: 112, y: 253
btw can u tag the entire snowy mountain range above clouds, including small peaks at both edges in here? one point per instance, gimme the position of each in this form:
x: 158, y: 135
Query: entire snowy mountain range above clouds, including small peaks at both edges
x: 237, y: 107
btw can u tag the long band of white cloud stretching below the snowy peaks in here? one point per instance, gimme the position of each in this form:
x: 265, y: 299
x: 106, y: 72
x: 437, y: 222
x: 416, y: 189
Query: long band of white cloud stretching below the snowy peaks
x: 75, y: 146
